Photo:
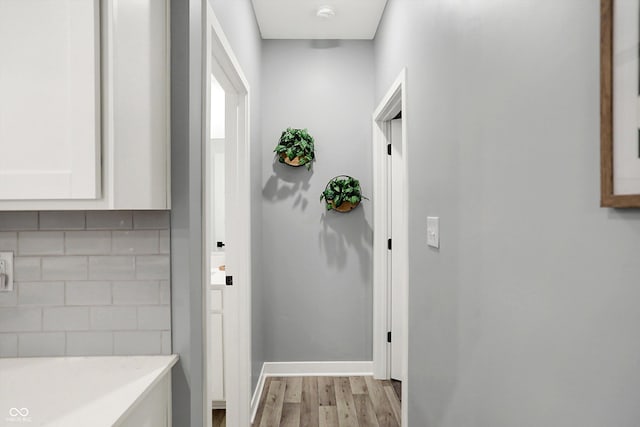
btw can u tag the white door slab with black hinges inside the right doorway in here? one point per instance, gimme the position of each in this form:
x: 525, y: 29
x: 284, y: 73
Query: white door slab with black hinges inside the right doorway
x: 398, y: 280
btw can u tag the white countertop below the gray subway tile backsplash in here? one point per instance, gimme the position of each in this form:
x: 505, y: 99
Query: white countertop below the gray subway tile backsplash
x: 75, y: 391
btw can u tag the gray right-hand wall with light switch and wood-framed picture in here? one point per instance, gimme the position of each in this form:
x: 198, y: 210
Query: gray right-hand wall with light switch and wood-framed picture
x: 528, y: 314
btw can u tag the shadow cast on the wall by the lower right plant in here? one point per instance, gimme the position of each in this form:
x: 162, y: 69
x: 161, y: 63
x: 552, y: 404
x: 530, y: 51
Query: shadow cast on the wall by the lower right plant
x: 341, y: 231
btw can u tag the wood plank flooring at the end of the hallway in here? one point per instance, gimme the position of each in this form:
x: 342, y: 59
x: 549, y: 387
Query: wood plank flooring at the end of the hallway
x: 328, y: 402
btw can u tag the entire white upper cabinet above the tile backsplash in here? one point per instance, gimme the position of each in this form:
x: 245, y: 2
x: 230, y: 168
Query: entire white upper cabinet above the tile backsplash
x: 84, y: 104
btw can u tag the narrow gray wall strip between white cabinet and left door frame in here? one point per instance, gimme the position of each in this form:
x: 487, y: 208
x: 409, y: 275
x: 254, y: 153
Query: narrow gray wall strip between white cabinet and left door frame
x: 186, y: 223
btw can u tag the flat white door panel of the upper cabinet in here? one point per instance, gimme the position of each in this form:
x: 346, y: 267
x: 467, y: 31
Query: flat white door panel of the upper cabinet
x: 49, y: 99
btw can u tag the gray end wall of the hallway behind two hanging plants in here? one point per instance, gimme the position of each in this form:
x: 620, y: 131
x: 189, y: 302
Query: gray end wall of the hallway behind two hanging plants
x: 317, y: 297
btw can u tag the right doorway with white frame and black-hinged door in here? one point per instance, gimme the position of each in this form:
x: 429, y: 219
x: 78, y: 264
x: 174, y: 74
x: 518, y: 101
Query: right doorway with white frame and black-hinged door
x: 390, y: 244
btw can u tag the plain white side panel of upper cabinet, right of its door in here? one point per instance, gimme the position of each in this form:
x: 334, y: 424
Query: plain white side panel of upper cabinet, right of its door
x: 138, y: 81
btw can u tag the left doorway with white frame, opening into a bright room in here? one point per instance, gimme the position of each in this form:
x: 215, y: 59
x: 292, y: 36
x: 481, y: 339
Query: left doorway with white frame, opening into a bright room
x: 226, y: 276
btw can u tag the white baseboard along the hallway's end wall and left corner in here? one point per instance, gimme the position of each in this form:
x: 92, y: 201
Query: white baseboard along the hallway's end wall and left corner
x: 307, y: 369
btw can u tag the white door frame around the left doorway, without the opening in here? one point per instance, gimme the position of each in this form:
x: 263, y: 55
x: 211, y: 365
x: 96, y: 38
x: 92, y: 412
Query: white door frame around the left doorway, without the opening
x: 237, y: 352
